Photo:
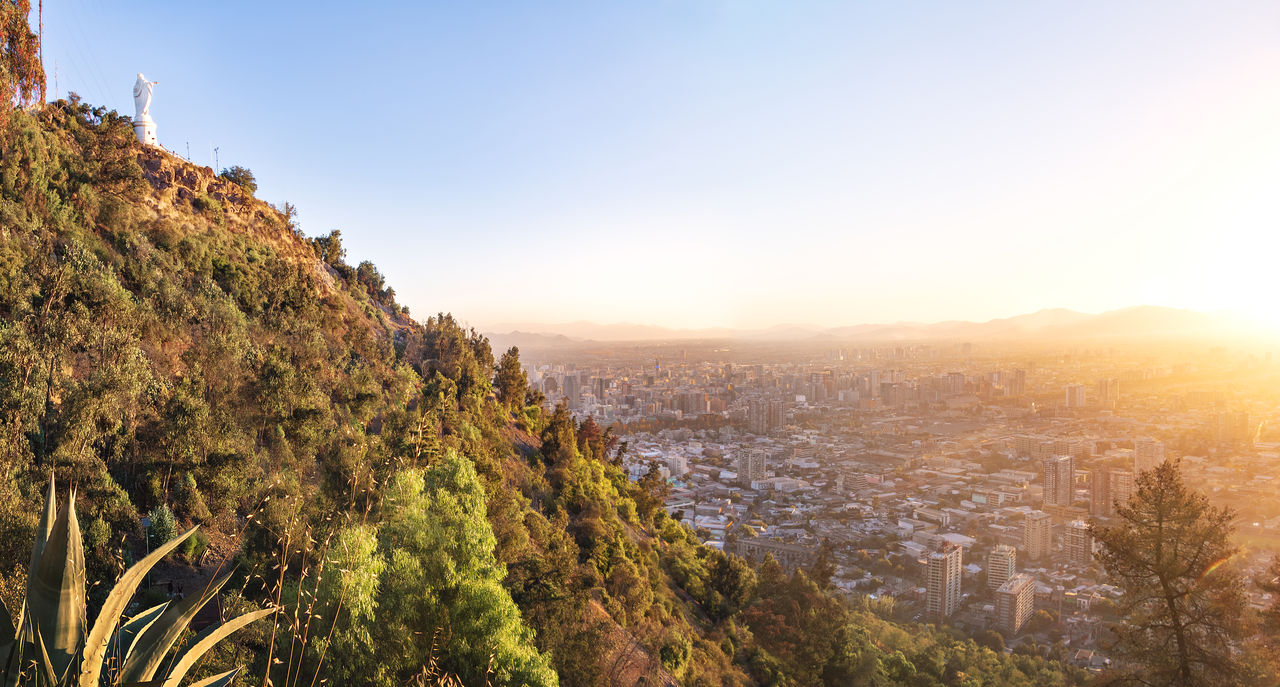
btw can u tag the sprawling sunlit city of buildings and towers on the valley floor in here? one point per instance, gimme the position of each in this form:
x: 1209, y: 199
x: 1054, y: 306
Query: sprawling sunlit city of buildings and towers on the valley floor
x: 963, y: 487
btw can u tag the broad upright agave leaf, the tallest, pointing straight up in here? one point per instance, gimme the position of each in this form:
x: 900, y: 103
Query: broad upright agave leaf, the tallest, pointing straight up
x: 56, y: 597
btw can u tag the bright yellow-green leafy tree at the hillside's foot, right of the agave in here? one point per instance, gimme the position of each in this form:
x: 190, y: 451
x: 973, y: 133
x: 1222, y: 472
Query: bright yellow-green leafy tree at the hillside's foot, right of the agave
x: 433, y: 571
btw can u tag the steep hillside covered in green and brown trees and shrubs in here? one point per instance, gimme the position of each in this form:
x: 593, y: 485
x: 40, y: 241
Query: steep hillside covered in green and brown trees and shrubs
x: 171, y: 343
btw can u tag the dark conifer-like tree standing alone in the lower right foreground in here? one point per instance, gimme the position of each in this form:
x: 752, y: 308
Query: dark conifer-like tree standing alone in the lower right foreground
x: 1183, y: 603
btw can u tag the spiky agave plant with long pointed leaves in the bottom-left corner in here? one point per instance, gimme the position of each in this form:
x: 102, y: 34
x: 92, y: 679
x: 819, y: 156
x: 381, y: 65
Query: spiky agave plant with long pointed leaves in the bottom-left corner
x: 49, y: 645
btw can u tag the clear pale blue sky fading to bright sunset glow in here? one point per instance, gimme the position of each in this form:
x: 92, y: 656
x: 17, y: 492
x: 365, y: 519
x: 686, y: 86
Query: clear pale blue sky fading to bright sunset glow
x: 735, y: 163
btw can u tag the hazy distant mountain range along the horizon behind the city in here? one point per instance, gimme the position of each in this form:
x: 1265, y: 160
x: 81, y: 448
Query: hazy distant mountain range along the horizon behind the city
x: 1136, y: 323
